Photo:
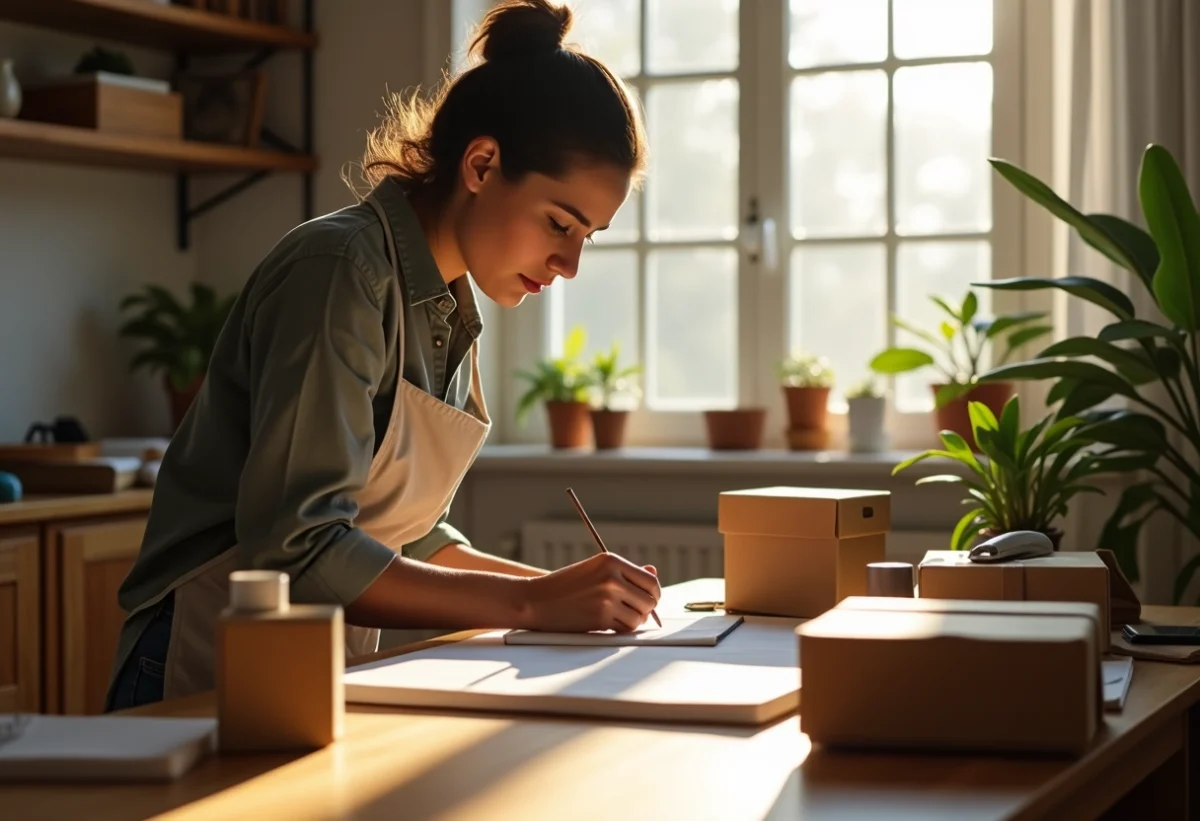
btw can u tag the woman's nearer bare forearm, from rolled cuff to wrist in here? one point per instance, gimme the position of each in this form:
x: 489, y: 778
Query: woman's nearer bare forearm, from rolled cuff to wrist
x: 418, y: 595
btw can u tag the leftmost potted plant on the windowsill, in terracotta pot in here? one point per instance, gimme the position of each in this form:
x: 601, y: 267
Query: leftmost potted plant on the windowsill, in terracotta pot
x: 562, y: 385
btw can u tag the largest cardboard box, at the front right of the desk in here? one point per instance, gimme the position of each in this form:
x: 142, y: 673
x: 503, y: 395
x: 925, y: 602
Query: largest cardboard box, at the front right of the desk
x: 946, y: 675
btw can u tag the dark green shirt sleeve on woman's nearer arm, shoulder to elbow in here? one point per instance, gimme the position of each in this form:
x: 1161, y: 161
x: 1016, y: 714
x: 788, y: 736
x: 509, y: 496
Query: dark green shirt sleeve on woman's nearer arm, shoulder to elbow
x: 316, y: 356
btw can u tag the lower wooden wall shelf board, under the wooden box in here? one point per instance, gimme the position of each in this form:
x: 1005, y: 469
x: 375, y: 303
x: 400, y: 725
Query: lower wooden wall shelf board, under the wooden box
x: 53, y: 143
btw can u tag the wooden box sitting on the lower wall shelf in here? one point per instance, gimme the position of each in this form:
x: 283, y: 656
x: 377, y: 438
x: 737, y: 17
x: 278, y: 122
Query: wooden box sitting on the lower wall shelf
x: 113, y: 104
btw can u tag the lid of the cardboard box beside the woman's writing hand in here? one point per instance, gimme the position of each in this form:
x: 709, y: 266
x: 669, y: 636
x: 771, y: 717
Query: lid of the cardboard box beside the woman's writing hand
x: 805, y: 513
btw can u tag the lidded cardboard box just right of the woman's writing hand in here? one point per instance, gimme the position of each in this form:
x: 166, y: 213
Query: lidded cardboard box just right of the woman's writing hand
x: 797, y: 552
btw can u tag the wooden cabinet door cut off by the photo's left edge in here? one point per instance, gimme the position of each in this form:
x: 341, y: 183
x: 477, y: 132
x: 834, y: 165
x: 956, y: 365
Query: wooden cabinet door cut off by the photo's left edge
x: 21, y: 640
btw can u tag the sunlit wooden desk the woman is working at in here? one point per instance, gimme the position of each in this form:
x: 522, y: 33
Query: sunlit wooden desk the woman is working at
x: 397, y: 764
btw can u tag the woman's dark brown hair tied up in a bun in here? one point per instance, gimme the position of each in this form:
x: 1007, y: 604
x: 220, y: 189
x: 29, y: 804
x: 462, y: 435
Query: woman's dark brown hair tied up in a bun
x: 544, y: 103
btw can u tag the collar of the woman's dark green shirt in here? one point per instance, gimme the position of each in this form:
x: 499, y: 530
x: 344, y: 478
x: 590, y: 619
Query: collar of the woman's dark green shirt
x: 423, y: 280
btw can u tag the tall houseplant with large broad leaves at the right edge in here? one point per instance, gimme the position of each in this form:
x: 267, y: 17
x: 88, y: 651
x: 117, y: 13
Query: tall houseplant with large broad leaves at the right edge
x: 1133, y: 352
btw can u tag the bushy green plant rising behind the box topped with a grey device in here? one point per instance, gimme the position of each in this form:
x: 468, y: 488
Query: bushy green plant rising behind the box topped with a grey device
x: 1027, y: 478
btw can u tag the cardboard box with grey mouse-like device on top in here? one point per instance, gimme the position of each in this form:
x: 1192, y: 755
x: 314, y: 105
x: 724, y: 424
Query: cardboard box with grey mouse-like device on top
x: 1070, y: 577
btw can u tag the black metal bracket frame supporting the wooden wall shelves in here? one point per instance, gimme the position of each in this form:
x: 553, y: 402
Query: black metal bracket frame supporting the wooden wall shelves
x: 185, y: 213
